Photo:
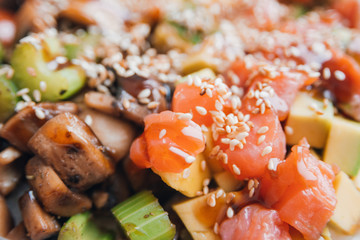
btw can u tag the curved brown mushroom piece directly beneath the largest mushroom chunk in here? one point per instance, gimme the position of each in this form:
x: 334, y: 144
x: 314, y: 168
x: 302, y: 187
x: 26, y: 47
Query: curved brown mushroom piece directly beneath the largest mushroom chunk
x: 52, y: 192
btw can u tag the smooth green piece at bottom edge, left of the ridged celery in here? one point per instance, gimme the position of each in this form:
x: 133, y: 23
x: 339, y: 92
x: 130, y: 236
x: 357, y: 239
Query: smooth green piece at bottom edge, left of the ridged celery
x: 81, y: 227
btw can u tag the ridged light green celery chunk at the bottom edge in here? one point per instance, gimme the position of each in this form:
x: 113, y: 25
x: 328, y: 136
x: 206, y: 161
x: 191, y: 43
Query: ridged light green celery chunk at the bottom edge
x: 142, y: 218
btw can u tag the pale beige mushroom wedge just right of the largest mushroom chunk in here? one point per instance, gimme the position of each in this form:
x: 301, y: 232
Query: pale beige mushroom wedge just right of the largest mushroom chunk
x: 114, y: 133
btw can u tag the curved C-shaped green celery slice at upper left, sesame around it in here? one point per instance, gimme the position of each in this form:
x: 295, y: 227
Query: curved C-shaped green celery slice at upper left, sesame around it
x: 31, y: 67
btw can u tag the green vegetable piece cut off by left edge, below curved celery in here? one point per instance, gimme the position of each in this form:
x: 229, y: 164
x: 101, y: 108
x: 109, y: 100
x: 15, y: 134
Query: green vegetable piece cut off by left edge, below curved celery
x: 8, y: 98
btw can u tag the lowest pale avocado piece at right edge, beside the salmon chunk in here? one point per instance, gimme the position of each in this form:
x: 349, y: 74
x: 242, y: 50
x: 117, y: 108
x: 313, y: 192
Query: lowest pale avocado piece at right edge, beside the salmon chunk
x: 347, y: 212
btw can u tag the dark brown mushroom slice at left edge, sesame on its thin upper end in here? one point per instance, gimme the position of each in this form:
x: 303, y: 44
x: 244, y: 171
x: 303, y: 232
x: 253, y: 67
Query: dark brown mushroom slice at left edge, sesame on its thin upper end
x: 22, y: 126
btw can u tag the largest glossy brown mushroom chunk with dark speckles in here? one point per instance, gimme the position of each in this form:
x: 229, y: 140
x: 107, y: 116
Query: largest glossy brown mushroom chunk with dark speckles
x: 69, y: 146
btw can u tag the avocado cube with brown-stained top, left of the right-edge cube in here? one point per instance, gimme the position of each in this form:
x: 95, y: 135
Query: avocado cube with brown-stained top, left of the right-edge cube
x: 304, y: 121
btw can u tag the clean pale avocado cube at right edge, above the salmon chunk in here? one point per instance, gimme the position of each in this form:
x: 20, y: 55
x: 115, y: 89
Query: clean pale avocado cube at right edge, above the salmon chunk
x: 343, y: 145
